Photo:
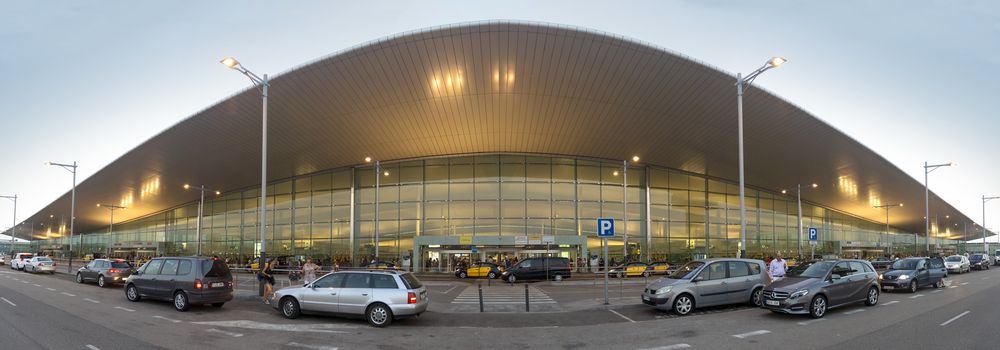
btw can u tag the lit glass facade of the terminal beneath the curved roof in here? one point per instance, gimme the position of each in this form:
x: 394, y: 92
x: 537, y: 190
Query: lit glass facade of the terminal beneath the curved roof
x: 672, y: 215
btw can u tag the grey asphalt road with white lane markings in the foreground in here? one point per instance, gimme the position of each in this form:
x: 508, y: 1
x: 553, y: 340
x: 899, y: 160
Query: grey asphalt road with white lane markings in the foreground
x: 52, y: 312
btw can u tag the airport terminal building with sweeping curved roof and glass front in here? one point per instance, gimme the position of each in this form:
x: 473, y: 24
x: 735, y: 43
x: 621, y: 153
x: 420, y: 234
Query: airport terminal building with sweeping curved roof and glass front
x: 499, y: 139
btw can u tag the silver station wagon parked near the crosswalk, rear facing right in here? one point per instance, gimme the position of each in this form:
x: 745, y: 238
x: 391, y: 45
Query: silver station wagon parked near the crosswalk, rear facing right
x: 379, y: 296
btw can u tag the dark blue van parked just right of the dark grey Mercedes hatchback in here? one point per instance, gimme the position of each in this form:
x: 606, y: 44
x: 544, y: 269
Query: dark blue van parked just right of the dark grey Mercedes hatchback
x: 912, y: 273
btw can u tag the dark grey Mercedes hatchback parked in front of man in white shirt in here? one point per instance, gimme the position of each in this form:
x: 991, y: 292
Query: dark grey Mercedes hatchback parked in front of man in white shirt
x: 815, y: 287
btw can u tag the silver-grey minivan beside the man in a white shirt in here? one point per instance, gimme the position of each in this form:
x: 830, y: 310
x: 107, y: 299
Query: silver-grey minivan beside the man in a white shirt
x: 702, y: 283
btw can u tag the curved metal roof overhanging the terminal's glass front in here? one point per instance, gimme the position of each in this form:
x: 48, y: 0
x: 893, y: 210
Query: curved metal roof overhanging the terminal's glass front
x: 503, y: 87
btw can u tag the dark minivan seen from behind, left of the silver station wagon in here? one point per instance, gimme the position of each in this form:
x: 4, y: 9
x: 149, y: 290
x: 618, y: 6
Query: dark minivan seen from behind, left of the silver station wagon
x: 184, y: 280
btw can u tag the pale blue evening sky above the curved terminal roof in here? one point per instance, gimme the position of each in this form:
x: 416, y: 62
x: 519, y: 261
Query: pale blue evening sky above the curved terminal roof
x: 914, y: 81
